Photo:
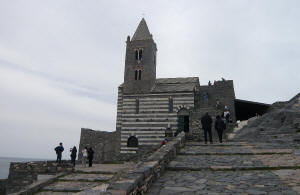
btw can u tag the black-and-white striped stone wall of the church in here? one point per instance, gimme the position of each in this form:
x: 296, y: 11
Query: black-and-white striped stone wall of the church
x: 149, y: 125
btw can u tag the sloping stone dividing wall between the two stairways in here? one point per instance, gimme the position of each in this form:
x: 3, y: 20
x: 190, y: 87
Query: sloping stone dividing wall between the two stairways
x: 140, y: 179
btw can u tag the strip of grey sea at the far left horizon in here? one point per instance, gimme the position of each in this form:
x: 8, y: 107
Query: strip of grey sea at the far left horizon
x: 5, y: 162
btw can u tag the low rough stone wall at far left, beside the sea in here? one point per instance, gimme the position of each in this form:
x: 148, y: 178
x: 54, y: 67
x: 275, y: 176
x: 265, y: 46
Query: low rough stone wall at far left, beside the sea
x: 22, y: 174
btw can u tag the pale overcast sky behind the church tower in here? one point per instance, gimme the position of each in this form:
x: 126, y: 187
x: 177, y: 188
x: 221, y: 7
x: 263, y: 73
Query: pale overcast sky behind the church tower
x: 61, y: 61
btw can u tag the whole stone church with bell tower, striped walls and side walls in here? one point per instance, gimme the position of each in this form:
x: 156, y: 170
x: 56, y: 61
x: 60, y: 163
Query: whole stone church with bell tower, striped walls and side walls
x: 150, y: 109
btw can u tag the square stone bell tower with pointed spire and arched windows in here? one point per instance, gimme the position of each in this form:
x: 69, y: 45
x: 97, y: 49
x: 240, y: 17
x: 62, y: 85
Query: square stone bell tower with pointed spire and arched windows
x: 140, y: 62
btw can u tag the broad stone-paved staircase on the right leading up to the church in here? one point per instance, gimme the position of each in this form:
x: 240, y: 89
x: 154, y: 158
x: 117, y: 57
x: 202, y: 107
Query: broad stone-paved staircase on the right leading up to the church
x: 231, y: 168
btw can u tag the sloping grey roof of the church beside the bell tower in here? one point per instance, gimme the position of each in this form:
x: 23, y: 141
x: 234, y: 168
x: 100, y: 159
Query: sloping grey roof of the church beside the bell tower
x: 175, y: 84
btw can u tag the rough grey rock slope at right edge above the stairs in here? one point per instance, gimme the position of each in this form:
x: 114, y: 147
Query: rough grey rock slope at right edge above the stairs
x: 280, y: 124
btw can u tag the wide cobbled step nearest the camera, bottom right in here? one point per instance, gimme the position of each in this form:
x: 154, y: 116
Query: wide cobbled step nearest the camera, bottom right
x: 259, y: 182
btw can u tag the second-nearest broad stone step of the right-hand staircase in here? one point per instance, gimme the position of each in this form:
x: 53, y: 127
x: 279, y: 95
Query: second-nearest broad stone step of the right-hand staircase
x: 234, y: 162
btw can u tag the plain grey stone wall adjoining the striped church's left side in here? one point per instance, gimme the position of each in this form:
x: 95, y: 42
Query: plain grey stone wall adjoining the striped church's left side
x: 106, y: 145
